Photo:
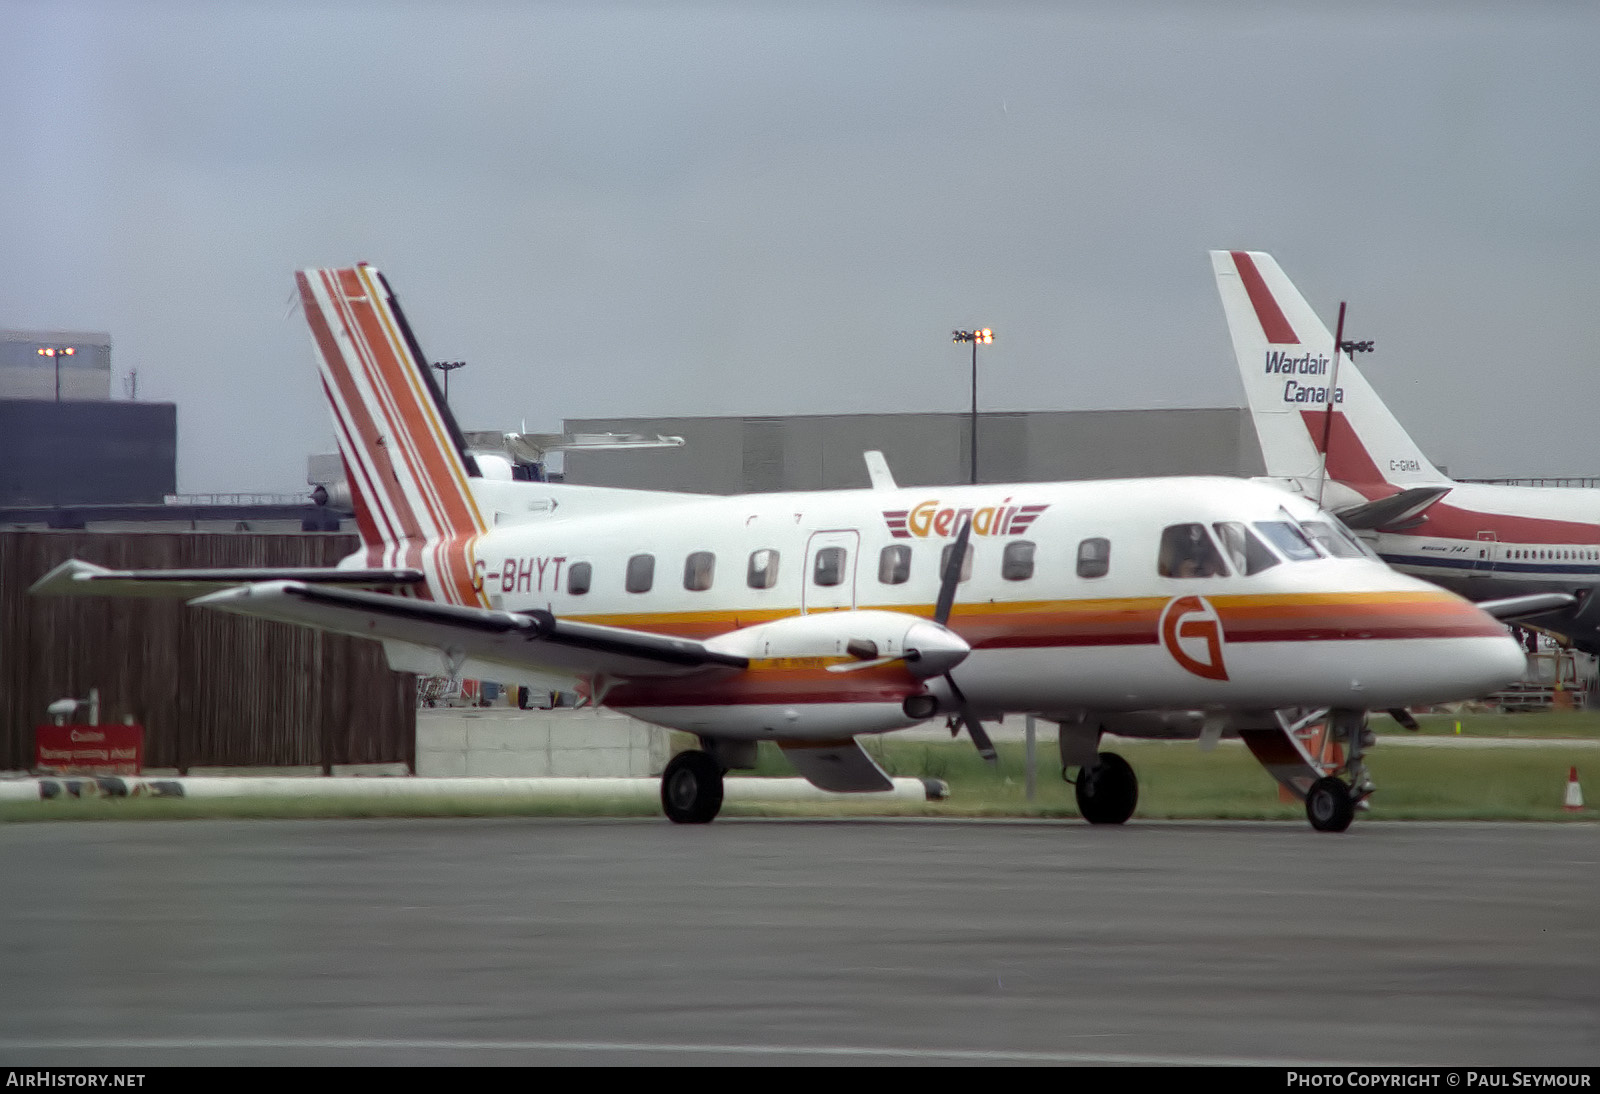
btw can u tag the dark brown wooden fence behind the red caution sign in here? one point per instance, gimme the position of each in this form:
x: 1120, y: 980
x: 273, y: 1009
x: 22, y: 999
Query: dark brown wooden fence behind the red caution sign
x: 210, y: 690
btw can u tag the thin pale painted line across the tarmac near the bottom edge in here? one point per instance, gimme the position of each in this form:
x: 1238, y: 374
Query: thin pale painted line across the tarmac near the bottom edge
x: 1022, y: 1056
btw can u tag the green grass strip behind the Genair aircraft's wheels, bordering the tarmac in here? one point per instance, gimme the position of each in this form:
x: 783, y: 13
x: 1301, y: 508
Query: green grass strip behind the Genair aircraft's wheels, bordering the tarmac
x: 1177, y: 781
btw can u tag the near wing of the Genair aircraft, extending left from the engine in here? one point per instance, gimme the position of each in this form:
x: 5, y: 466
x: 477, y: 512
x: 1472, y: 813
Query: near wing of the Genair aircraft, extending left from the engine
x: 524, y: 642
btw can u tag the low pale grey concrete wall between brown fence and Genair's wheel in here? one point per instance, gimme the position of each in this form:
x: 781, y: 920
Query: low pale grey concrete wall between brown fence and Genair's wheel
x: 466, y: 741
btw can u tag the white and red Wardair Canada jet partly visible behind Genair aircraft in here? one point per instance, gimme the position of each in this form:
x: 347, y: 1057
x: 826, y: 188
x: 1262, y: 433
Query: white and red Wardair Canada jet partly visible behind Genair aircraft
x: 1481, y: 540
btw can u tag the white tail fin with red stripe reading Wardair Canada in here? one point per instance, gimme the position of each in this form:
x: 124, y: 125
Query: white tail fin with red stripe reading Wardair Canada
x: 1286, y: 362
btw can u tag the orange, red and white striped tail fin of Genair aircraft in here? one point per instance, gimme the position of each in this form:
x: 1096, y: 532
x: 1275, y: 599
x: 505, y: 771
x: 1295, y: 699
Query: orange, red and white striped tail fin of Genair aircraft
x: 404, y: 453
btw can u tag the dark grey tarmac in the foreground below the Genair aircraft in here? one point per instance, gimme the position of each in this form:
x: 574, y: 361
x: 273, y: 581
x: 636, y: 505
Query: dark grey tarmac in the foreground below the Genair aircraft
x: 537, y: 941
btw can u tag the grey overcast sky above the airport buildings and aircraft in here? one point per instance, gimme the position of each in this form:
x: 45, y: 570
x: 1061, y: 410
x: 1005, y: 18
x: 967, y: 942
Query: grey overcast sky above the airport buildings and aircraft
x: 748, y: 209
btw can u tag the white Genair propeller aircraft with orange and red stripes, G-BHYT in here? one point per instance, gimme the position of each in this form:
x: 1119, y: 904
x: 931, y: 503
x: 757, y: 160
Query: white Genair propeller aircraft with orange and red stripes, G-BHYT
x: 1161, y: 607
